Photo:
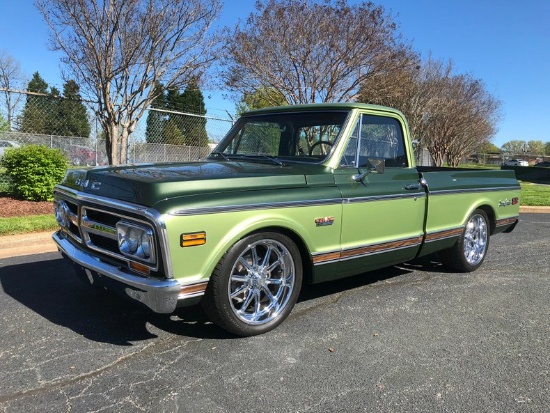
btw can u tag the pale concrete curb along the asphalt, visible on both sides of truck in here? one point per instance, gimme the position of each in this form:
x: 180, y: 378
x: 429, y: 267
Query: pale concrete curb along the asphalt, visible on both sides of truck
x: 42, y: 242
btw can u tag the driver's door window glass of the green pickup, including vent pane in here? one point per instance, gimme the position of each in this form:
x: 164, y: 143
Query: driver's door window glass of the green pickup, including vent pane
x: 380, y: 138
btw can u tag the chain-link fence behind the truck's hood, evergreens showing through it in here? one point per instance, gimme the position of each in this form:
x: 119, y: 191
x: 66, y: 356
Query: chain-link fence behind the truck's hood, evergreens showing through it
x: 69, y: 125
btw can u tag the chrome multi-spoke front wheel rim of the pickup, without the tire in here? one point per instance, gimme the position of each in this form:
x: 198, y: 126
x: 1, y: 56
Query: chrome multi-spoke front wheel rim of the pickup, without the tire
x: 261, y: 282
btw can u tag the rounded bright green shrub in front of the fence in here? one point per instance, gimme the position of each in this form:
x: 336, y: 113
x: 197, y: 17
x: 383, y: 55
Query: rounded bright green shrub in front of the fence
x: 34, y: 171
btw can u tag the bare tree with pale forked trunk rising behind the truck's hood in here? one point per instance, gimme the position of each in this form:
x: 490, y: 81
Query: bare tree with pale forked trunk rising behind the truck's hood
x: 117, y: 50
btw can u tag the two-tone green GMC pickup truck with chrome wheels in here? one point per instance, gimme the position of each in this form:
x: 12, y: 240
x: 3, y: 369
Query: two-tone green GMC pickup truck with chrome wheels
x: 292, y: 195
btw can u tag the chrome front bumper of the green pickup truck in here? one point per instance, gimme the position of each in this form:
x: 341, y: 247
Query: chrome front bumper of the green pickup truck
x: 160, y: 296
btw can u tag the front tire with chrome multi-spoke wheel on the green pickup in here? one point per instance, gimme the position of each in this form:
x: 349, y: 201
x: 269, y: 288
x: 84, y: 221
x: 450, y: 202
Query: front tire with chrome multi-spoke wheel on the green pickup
x: 255, y: 285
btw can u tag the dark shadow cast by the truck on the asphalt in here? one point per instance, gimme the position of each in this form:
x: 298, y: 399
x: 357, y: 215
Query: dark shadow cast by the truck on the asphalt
x: 50, y: 289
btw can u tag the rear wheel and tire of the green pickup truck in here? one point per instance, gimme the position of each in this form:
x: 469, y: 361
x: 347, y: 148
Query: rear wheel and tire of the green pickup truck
x: 471, y: 248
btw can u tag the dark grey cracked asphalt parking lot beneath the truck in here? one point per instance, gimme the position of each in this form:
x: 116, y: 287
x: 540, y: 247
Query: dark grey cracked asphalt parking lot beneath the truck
x: 408, y: 338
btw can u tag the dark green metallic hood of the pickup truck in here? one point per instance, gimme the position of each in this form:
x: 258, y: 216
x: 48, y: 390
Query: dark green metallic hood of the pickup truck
x: 149, y: 184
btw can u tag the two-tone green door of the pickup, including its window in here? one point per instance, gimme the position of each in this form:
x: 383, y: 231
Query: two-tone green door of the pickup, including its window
x: 383, y: 201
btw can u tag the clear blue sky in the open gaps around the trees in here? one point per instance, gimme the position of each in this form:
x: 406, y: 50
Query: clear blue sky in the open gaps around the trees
x: 504, y: 43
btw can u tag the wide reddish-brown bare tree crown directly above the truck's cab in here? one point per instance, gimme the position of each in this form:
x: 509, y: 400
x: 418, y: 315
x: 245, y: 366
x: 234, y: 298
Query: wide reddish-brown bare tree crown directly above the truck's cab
x: 311, y: 51
